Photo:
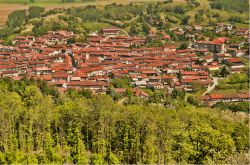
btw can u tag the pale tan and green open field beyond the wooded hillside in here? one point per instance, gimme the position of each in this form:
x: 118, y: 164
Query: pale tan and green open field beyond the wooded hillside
x: 7, y: 6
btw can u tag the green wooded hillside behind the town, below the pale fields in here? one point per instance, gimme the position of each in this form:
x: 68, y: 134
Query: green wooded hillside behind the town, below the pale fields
x: 137, y: 19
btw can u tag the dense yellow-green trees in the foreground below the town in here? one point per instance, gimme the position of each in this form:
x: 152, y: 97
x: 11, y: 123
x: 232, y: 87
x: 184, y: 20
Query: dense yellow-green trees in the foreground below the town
x: 37, y: 125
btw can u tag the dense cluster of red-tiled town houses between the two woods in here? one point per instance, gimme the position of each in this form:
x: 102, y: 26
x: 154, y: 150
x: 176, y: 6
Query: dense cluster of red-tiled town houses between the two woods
x: 103, y: 57
